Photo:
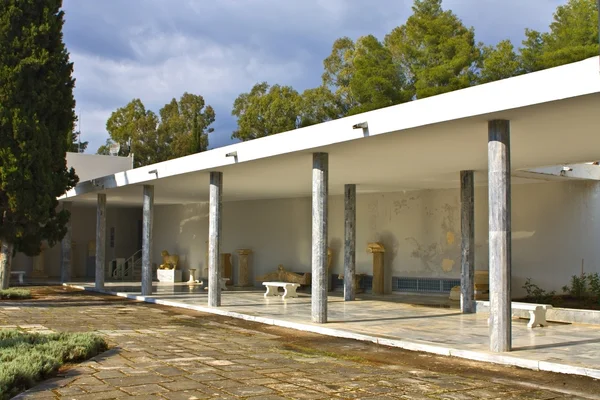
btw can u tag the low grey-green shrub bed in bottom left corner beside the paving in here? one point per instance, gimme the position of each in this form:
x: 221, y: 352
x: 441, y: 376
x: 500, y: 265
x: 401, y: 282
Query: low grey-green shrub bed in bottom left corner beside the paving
x: 27, y: 358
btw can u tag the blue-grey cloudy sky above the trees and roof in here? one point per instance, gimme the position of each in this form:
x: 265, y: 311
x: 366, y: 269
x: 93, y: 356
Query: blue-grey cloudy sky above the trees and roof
x: 157, y: 49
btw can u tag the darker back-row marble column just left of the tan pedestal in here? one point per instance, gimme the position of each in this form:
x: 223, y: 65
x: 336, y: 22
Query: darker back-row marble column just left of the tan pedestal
x: 349, y: 241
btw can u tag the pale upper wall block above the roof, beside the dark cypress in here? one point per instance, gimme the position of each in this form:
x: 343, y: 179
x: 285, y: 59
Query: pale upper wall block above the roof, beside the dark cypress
x: 90, y: 166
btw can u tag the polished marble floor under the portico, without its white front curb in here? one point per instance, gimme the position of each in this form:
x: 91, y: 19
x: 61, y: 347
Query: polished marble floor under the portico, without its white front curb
x: 417, y: 319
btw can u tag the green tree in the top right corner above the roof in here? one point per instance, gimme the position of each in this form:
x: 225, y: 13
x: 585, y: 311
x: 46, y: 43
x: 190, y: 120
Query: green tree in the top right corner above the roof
x: 573, y: 36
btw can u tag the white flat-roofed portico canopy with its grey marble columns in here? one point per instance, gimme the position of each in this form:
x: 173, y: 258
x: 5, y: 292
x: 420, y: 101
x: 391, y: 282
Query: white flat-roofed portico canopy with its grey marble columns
x: 492, y: 134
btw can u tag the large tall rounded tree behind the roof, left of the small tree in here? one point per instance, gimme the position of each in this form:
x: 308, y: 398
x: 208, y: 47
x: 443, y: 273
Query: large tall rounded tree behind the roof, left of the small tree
x: 434, y: 50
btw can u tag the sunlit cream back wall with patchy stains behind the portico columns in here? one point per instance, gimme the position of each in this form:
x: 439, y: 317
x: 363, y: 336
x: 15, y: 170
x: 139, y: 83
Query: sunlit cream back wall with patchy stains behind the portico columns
x: 555, y: 226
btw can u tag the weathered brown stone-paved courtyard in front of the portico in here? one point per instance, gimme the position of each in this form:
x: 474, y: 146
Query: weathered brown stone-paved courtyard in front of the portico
x: 168, y: 353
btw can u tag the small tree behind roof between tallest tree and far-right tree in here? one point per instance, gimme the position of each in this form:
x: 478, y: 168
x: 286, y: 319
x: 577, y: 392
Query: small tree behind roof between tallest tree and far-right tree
x: 499, y: 62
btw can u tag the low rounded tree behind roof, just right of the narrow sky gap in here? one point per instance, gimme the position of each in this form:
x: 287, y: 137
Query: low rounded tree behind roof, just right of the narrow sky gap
x: 266, y: 110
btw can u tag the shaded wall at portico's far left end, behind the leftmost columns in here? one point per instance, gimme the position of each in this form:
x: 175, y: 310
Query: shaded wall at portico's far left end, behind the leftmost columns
x: 125, y: 223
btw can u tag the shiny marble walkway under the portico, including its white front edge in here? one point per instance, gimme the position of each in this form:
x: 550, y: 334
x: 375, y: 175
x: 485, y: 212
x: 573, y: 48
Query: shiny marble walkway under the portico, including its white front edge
x: 565, y: 348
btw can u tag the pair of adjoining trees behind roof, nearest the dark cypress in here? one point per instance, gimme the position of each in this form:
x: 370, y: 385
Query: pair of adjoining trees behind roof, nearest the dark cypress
x: 182, y: 129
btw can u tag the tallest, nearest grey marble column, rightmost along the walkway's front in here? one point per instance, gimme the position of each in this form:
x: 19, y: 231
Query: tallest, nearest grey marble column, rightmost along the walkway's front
x: 499, y: 234
